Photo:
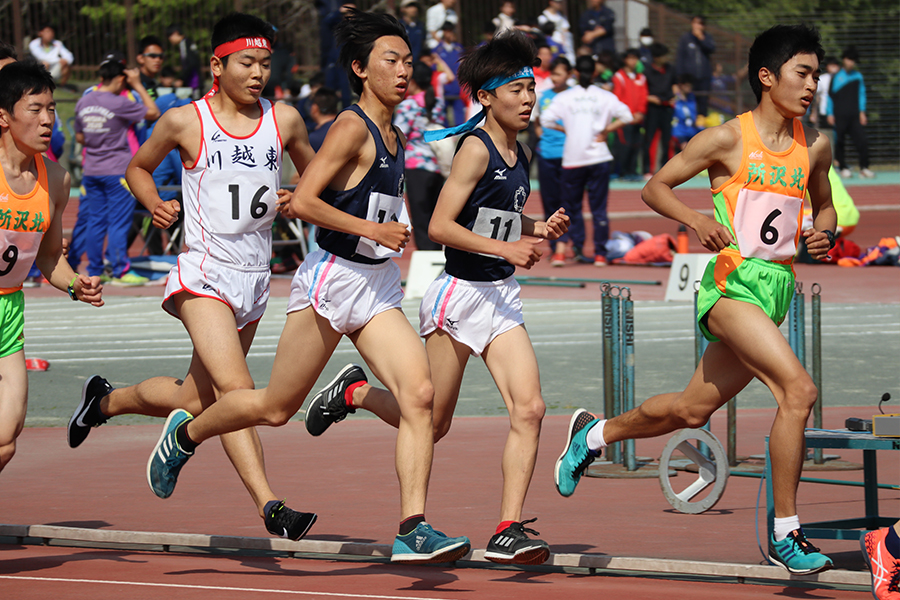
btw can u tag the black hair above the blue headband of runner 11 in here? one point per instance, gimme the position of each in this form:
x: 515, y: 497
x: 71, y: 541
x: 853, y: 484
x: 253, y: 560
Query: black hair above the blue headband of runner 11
x: 506, y: 53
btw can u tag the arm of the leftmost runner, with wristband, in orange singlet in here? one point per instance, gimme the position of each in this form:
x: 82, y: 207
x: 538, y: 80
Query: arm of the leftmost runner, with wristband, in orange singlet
x: 50, y: 259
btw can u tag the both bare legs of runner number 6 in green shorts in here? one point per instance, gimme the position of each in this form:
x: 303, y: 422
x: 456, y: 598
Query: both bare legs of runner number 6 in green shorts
x: 751, y: 346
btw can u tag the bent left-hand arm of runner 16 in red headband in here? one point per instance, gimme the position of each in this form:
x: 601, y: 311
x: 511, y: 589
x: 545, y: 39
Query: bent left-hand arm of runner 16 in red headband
x: 169, y: 133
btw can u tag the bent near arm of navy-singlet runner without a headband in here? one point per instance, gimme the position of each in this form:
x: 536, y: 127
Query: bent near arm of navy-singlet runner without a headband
x: 336, y: 162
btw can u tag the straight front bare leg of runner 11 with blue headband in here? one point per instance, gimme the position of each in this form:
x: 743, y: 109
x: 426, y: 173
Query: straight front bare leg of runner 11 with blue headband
x: 510, y: 359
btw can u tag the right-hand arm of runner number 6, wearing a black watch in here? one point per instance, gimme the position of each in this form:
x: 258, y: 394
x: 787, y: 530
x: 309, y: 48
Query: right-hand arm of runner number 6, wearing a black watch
x: 824, y: 214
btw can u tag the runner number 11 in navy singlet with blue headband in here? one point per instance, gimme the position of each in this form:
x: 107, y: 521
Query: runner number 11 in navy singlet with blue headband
x: 473, y: 308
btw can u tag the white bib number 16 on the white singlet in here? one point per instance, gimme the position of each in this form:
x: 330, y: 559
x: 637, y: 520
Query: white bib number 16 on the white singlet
x: 243, y: 205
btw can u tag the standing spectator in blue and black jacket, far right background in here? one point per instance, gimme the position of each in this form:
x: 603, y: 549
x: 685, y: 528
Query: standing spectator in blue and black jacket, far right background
x: 847, y: 114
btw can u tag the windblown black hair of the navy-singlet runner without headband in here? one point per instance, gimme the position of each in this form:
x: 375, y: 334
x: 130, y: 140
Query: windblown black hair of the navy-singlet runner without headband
x: 356, y: 35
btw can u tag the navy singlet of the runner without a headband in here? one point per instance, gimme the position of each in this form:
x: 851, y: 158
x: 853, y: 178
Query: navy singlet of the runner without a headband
x: 386, y: 175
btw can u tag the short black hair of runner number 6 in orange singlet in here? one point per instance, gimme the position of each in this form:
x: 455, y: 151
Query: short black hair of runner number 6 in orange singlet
x: 777, y: 45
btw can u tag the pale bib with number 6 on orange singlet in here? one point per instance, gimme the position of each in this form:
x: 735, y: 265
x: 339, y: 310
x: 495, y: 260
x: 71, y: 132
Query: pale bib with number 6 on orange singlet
x: 767, y: 224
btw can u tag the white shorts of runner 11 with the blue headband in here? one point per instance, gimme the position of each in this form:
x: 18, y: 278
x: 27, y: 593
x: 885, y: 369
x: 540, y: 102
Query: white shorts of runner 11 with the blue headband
x: 473, y: 312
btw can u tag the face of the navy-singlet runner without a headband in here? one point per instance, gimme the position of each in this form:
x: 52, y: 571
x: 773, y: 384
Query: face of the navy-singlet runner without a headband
x: 389, y: 70
